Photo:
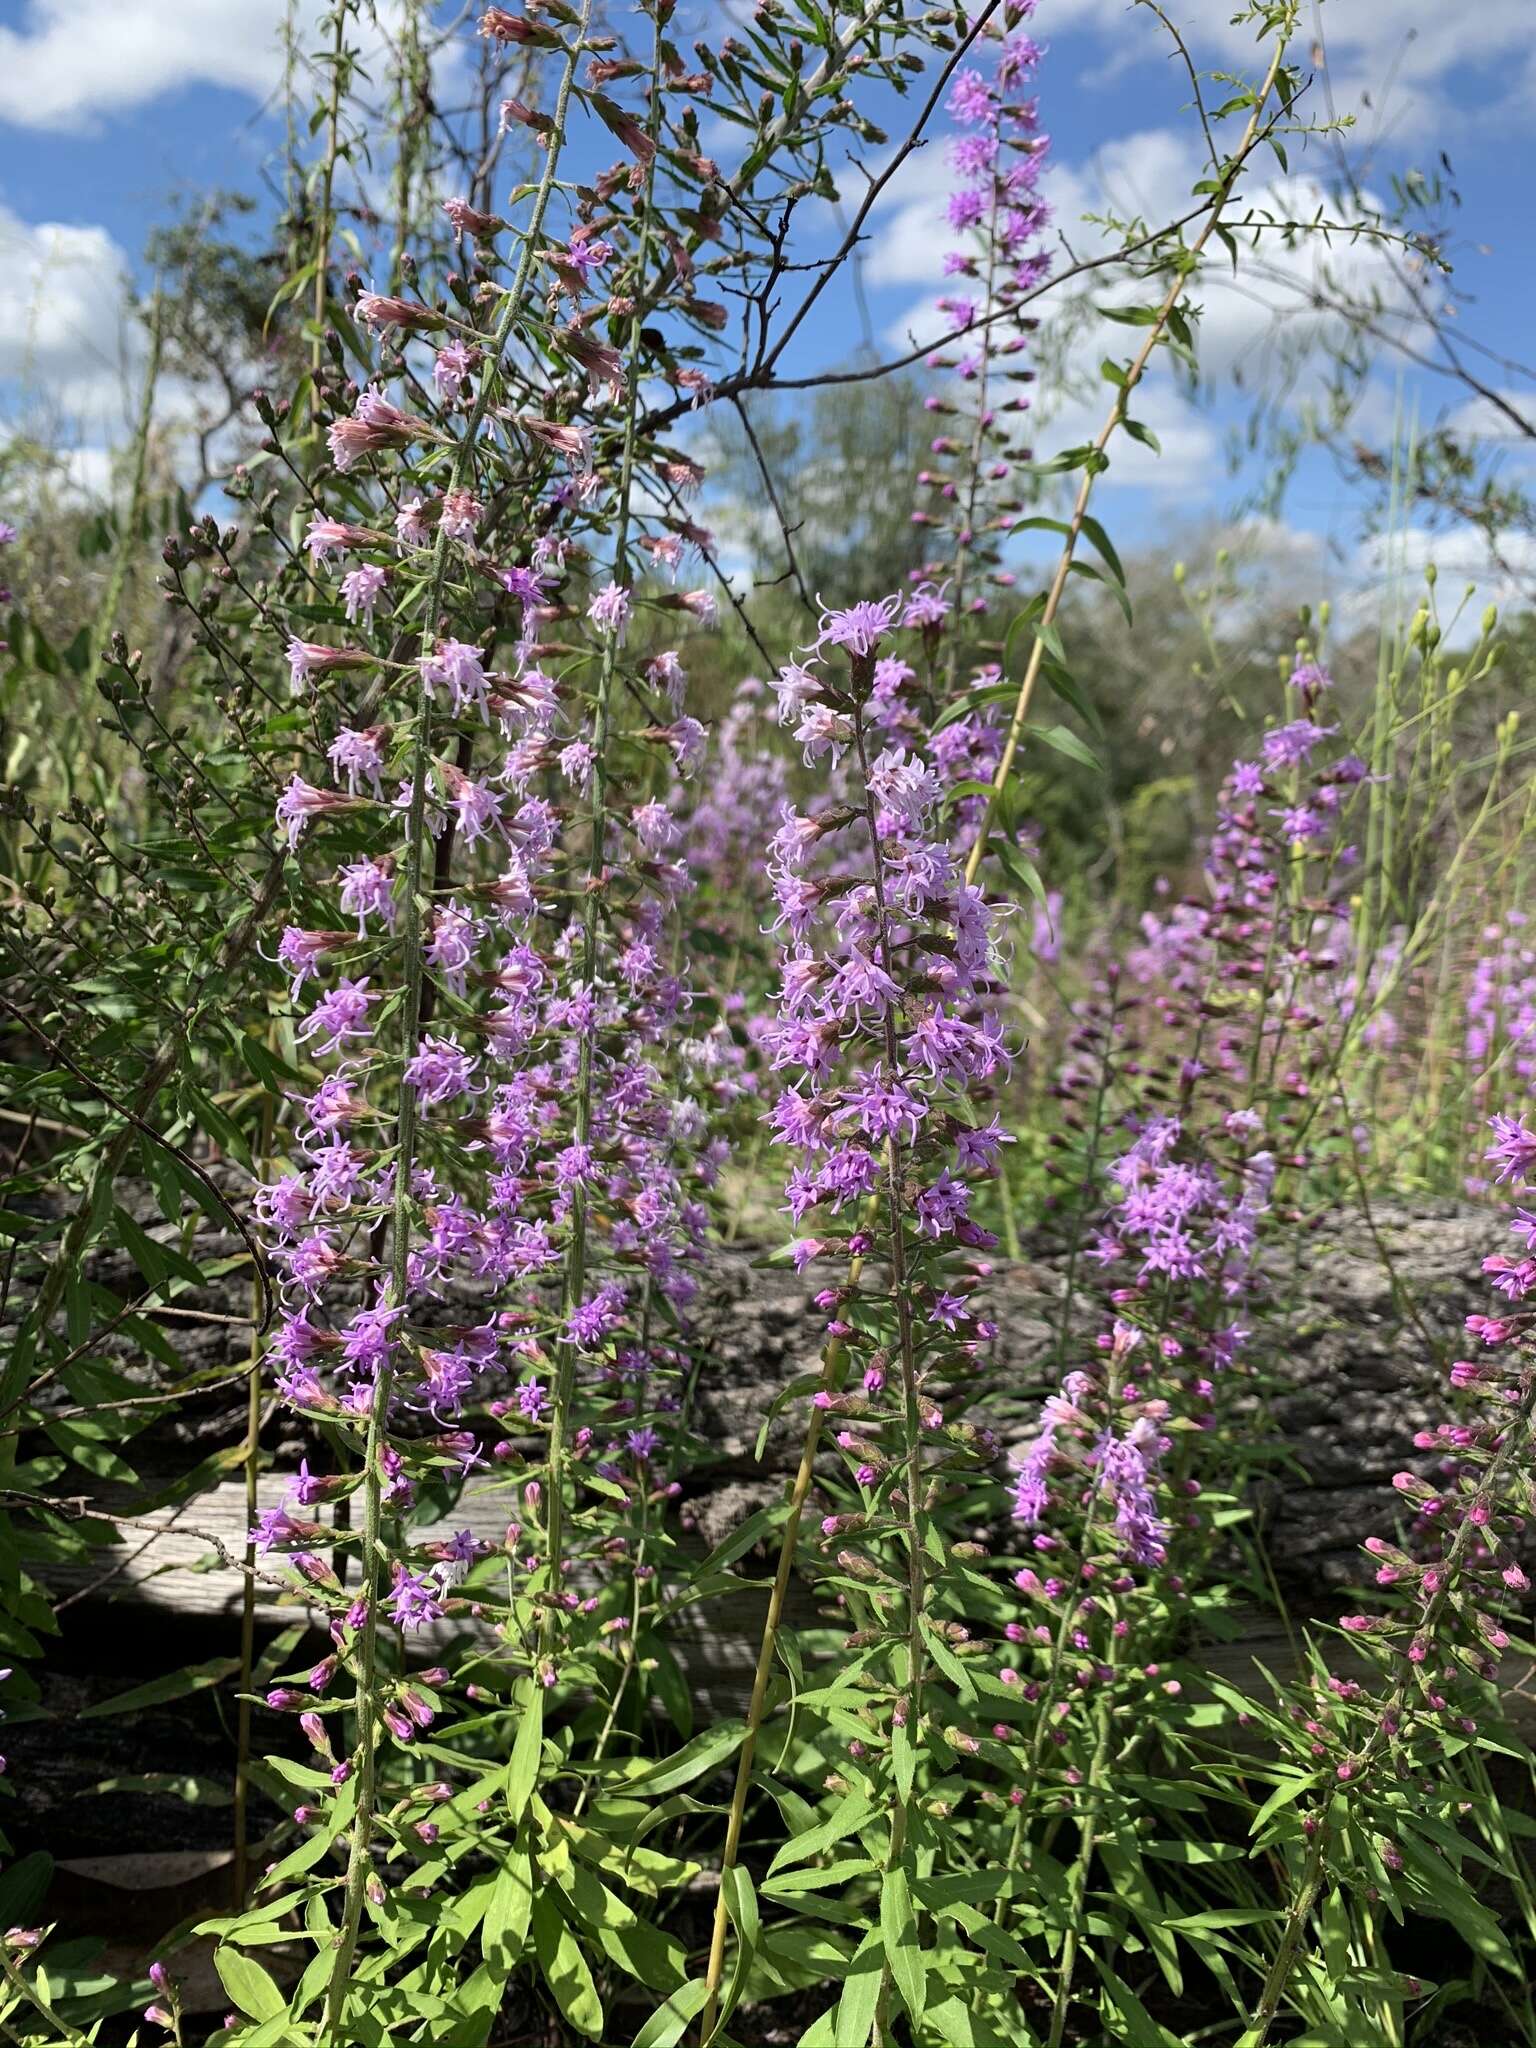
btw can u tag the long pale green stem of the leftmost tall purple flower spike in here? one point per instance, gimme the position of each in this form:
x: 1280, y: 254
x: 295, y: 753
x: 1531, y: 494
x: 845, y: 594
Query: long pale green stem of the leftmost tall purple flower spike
x: 413, y: 970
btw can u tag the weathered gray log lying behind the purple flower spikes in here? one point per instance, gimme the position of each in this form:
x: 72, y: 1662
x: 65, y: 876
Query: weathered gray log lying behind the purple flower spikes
x: 1369, y: 1314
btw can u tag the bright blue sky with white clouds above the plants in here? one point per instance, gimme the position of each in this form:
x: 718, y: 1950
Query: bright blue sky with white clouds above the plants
x: 110, y: 118
